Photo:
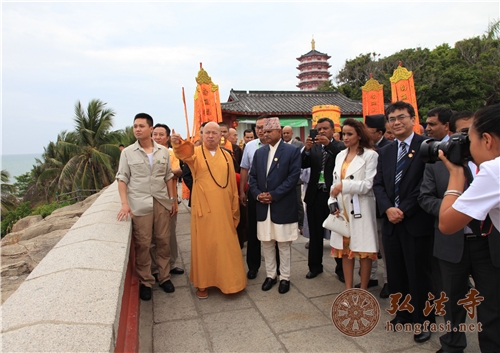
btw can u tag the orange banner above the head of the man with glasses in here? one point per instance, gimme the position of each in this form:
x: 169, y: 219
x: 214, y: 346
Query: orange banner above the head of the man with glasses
x: 403, y: 89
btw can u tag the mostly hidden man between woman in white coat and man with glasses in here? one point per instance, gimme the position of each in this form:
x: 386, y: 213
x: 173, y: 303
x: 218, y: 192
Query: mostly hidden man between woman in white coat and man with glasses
x: 376, y: 126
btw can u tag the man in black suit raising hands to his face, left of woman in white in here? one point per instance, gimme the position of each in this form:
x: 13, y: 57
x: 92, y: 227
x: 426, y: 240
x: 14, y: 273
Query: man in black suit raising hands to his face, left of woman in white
x: 319, y: 155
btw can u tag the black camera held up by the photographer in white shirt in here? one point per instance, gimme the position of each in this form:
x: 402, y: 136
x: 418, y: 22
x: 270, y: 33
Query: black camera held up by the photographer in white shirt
x: 456, y: 149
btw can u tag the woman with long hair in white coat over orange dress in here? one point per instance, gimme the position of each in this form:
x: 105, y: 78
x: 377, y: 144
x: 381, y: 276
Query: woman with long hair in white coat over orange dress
x: 355, y: 168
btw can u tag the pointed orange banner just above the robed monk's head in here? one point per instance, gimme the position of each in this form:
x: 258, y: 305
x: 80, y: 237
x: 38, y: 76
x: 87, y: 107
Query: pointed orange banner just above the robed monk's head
x: 206, y: 102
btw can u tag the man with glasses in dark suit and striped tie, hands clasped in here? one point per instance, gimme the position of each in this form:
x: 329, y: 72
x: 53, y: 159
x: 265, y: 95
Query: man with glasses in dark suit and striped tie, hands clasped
x: 406, y: 228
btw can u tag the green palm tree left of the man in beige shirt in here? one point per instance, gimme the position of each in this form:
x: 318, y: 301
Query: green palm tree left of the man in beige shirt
x: 92, y: 151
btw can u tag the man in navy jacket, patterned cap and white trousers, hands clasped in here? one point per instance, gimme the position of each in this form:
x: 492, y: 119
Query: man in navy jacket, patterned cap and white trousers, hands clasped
x: 273, y: 177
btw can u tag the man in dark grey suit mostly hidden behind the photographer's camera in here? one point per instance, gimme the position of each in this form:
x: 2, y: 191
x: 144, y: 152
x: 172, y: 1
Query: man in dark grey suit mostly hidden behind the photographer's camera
x: 455, y: 254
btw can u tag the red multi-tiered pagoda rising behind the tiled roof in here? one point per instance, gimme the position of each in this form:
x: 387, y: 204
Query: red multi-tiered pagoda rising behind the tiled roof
x: 313, y: 69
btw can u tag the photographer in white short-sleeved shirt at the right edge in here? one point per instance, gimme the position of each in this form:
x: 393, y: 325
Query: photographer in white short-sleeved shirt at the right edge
x: 480, y: 201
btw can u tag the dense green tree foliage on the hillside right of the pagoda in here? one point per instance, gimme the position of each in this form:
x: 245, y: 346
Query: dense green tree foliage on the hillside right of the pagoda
x: 463, y: 77
